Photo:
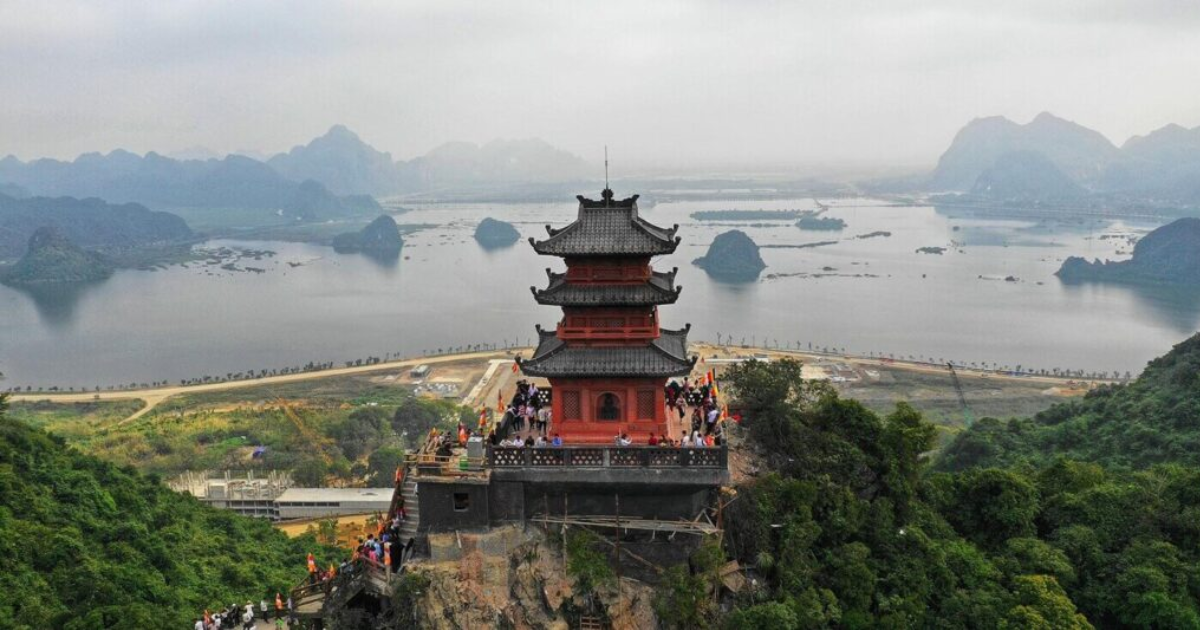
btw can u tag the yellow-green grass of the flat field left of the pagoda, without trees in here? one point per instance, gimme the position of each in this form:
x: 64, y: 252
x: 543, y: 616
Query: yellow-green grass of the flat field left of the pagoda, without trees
x: 220, y: 430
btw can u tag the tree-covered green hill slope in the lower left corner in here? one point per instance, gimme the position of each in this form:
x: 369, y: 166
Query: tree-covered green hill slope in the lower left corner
x: 89, y: 545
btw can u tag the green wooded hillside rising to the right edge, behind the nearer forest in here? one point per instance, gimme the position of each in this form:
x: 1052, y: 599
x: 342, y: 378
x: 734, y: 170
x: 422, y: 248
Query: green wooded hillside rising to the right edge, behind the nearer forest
x: 1156, y: 419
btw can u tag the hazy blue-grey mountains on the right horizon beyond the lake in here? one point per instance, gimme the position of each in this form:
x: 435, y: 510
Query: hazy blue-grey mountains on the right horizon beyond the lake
x: 1055, y: 160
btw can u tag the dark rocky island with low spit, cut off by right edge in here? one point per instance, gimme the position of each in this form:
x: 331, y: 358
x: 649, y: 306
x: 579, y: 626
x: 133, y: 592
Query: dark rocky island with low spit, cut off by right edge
x: 1169, y: 255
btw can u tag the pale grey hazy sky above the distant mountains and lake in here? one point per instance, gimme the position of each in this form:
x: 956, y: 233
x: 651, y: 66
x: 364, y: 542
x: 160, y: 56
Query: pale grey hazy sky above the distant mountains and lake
x: 663, y: 83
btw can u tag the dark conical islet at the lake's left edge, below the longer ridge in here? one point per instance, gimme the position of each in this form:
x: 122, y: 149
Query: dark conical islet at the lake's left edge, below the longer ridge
x: 53, y: 260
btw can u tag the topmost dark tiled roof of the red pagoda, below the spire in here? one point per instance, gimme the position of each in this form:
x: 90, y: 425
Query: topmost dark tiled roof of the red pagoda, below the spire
x: 608, y: 229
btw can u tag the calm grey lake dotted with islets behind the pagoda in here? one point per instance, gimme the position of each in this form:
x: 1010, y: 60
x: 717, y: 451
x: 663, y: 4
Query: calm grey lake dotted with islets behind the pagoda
x: 874, y: 295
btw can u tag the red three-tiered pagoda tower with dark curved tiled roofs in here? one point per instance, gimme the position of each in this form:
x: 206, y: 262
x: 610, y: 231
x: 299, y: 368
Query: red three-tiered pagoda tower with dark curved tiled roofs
x: 609, y: 362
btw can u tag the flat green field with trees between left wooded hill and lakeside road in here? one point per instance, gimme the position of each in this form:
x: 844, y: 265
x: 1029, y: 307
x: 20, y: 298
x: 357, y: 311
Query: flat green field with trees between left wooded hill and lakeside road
x: 345, y: 429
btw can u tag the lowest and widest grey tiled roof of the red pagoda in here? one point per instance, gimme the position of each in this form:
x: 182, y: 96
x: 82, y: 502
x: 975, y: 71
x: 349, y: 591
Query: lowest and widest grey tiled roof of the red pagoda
x: 665, y: 357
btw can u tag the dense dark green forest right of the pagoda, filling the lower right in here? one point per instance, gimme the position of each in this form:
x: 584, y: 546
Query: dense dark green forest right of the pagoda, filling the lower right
x: 850, y: 530
